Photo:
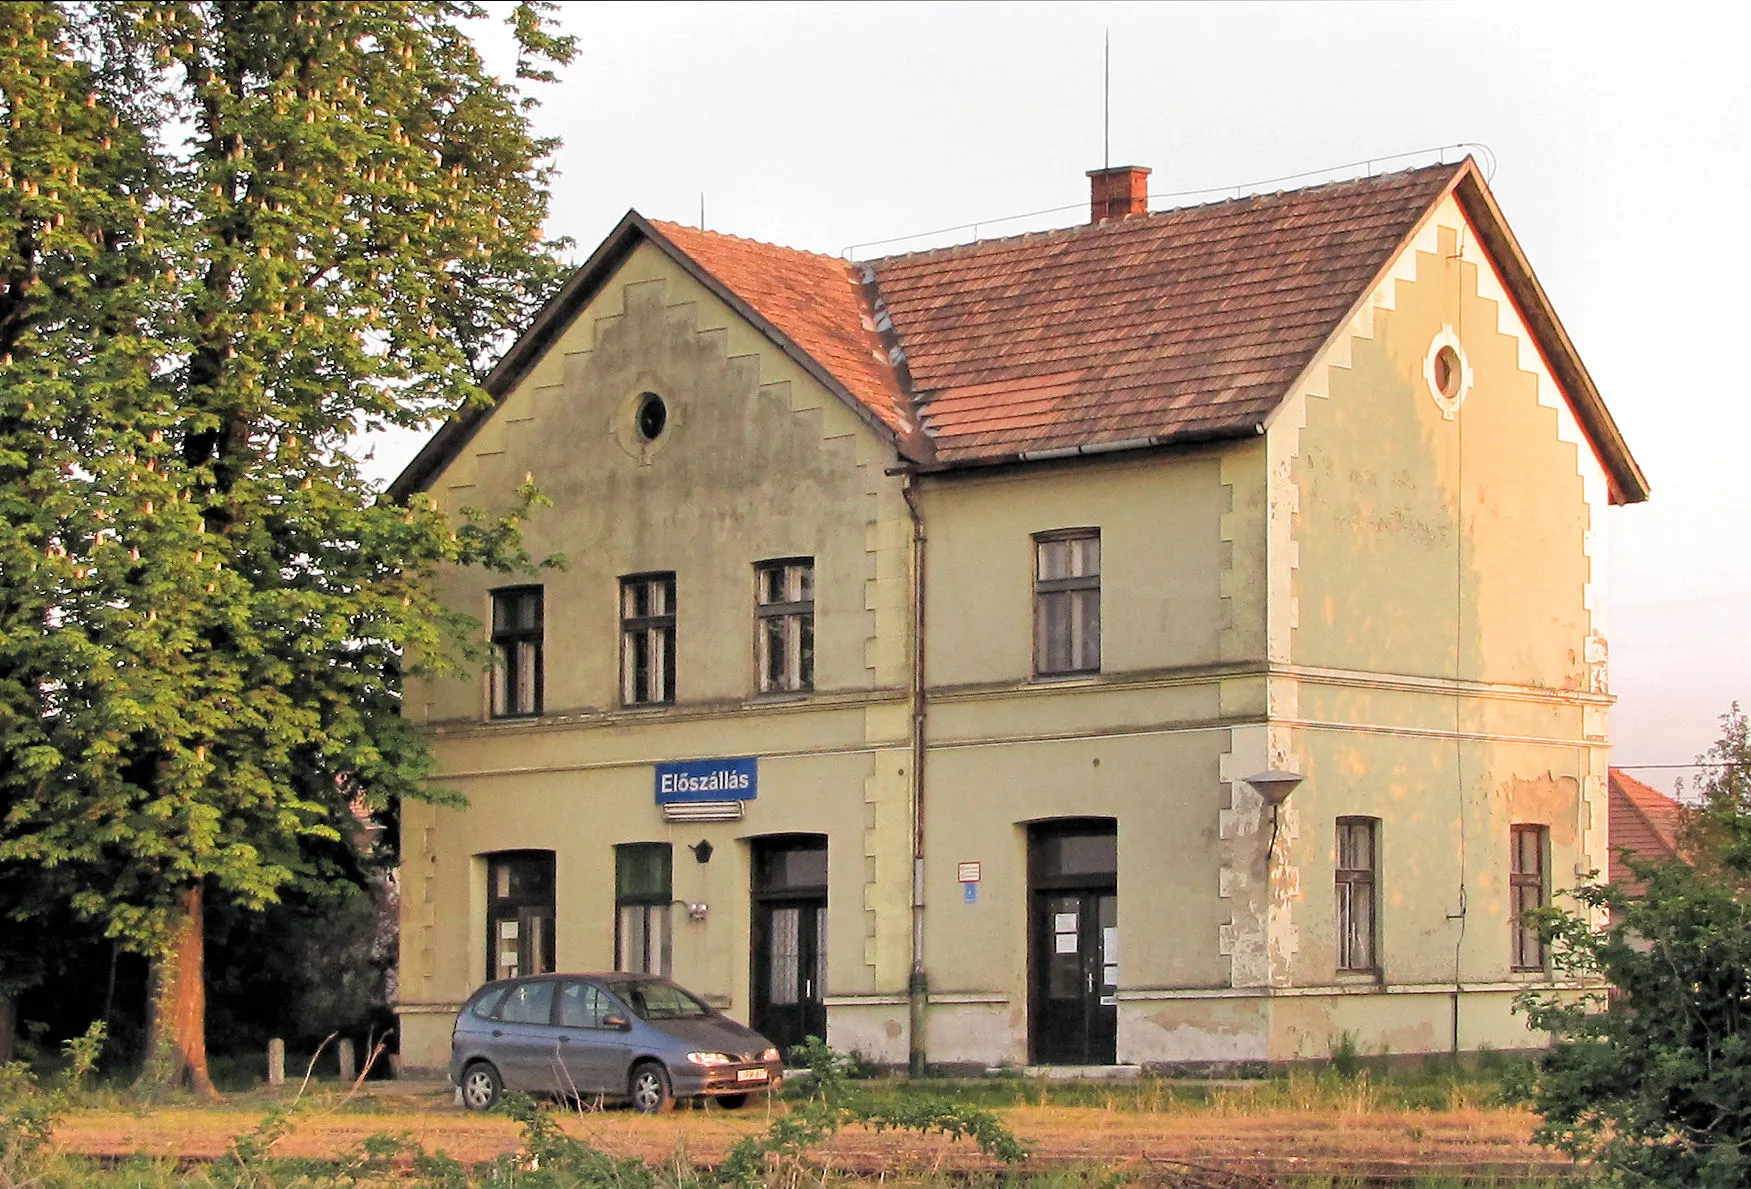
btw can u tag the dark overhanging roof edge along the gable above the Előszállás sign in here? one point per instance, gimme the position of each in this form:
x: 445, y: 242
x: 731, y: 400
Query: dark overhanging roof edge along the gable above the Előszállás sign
x: 558, y: 314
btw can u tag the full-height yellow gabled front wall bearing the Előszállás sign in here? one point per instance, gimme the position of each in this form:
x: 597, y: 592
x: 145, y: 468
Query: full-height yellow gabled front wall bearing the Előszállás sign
x: 757, y: 463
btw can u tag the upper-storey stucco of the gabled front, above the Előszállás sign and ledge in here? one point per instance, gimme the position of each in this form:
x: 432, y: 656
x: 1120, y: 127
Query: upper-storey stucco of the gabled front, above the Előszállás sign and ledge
x: 757, y: 463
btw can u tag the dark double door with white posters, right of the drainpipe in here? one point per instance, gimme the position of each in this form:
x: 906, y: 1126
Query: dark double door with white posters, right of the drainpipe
x: 1074, y: 948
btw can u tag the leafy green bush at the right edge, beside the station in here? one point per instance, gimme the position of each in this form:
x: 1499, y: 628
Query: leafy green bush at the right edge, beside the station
x: 1654, y: 1081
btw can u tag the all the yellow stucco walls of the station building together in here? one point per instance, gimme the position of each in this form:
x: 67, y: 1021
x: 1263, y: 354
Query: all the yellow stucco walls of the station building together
x: 1396, y: 603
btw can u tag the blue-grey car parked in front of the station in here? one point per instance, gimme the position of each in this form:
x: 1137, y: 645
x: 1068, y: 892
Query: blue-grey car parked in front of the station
x: 605, y: 1036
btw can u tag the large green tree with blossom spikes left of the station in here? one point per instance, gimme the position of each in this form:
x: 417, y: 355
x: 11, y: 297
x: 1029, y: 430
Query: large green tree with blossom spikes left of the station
x: 232, y: 237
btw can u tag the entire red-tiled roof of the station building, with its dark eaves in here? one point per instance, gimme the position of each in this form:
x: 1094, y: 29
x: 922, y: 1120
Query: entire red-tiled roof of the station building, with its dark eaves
x: 1151, y: 330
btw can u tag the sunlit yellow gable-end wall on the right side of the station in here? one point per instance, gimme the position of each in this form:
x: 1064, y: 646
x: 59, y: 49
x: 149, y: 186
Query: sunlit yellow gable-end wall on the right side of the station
x: 1438, y: 638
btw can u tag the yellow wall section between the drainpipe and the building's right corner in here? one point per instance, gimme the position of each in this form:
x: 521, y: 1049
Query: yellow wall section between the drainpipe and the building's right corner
x: 1143, y: 742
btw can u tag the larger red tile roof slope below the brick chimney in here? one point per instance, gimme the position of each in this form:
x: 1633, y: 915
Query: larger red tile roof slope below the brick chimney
x: 1179, y: 325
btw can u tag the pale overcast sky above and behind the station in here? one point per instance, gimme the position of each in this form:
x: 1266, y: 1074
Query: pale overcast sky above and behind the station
x: 1619, y: 136
